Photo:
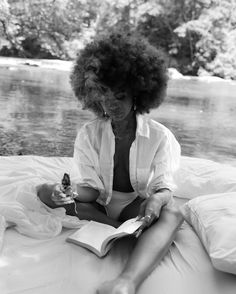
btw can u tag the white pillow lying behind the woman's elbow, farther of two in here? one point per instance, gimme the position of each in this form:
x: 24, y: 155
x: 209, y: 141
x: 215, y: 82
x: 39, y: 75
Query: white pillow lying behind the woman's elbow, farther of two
x: 198, y: 176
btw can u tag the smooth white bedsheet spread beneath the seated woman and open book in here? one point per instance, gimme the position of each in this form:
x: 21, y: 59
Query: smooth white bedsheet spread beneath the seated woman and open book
x: 51, y: 265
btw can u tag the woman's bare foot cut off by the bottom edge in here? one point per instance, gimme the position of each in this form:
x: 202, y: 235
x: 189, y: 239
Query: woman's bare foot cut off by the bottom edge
x: 117, y: 286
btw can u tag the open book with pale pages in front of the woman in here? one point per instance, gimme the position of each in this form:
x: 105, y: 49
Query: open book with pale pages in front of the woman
x: 99, y: 237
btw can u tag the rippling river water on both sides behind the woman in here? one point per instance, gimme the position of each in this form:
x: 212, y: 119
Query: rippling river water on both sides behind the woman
x: 40, y: 116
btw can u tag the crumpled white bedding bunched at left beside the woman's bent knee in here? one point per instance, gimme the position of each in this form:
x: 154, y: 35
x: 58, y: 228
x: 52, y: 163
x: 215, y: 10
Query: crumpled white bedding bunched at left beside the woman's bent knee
x: 19, y: 205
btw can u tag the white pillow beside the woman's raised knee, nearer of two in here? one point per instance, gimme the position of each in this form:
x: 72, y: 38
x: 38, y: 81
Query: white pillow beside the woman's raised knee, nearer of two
x: 213, y: 218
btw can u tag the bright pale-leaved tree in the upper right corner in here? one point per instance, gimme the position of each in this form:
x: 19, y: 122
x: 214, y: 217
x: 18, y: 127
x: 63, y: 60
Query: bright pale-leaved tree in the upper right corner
x: 214, y: 29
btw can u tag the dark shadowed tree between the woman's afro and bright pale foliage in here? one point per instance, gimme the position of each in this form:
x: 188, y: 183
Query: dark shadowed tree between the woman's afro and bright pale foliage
x: 161, y: 28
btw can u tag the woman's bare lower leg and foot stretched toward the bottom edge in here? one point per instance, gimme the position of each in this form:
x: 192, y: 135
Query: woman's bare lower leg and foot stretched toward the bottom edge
x: 151, y: 247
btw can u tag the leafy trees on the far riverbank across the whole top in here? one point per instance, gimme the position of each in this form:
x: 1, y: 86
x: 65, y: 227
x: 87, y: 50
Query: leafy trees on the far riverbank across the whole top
x: 198, y: 36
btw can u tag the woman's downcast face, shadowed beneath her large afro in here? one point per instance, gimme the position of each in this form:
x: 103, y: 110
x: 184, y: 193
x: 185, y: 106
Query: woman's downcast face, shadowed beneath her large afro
x: 117, y: 105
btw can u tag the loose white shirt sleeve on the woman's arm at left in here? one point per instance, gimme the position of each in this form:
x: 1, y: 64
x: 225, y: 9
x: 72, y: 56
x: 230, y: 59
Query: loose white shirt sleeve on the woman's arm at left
x: 86, y: 159
